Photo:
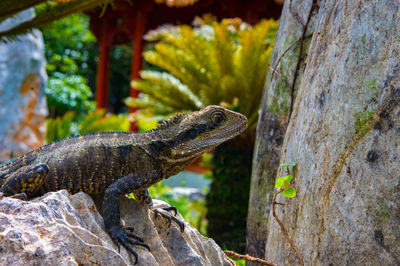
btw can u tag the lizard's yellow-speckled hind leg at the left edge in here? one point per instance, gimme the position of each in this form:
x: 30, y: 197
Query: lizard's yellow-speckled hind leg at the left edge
x: 25, y: 182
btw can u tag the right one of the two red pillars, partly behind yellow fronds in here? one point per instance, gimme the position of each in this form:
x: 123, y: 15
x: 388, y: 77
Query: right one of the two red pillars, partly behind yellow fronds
x: 139, y: 27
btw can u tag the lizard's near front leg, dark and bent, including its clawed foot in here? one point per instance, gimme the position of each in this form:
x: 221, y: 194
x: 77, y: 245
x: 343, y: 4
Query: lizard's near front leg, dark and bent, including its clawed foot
x: 111, y: 213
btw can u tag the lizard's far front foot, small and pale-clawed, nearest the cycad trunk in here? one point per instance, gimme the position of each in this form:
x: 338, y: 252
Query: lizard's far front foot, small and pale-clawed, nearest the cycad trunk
x: 144, y: 196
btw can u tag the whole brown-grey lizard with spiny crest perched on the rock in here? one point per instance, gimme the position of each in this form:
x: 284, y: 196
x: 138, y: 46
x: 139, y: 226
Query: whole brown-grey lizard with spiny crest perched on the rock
x: 118, y: 163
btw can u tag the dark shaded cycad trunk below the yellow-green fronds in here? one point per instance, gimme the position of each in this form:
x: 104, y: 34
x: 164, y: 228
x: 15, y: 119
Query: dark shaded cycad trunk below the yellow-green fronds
x: 228, y: 198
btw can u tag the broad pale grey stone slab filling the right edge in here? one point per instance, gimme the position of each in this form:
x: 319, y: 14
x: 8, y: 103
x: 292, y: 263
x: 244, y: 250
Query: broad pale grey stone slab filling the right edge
x: 344, y: 135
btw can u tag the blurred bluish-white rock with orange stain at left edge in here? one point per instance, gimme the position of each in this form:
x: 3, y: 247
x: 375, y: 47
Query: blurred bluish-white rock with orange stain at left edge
x: 23, y: 78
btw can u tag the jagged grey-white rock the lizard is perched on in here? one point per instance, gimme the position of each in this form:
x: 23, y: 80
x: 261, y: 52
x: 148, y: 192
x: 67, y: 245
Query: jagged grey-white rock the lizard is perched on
x: 59, y: 228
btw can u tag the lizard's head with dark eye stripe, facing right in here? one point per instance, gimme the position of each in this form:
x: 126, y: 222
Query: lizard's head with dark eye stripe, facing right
x: 192, y: 134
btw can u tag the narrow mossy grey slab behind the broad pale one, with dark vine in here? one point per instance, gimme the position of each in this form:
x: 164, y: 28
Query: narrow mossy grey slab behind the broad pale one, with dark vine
x: 287, y: 64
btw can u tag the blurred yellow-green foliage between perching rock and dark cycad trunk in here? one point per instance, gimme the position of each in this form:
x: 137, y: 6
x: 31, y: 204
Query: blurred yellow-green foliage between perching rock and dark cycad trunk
x: 192, y: 211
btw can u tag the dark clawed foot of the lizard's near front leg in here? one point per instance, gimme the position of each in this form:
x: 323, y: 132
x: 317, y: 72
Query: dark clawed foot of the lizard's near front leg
x: 121, y: 237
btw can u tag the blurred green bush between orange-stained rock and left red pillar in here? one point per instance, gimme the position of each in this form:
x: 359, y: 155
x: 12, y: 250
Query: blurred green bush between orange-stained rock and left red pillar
x: 70, y: 53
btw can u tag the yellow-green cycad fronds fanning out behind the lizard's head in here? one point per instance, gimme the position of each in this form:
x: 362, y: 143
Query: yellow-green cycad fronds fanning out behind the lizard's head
x: 215, y: 63
